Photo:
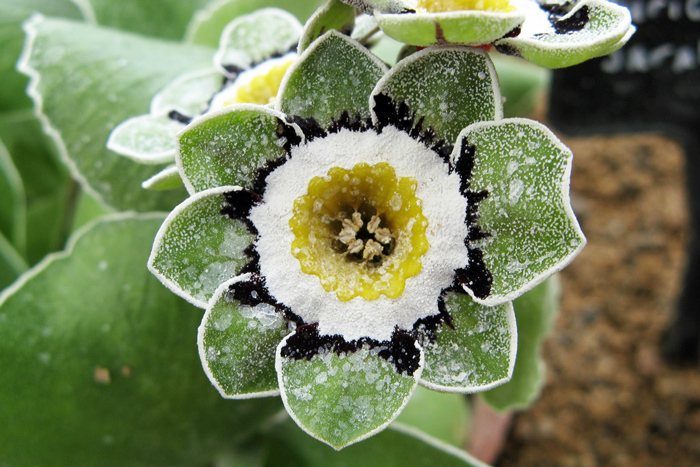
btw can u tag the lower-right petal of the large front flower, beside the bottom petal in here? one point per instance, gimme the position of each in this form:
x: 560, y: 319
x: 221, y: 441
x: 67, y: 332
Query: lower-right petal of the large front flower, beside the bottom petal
x: 478, y: 354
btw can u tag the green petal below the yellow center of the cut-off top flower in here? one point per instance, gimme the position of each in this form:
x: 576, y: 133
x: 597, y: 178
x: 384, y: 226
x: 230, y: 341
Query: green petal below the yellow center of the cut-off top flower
x: 458, y: 27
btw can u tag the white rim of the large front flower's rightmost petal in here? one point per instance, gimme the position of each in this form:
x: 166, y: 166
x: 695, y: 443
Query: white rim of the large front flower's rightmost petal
x: 565, y: 183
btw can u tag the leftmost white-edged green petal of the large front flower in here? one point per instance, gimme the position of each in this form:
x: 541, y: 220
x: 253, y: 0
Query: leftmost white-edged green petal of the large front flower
x: 198, y: 248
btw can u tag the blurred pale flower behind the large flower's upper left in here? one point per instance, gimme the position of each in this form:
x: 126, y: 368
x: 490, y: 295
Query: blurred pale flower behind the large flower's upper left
x: 254, y: 52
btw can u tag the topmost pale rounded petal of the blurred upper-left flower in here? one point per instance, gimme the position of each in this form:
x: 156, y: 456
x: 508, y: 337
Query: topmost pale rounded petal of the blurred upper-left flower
x: 252, y: 38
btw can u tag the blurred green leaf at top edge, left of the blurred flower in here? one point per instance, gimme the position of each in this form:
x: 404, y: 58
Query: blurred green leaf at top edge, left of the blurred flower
x: 160, y: 18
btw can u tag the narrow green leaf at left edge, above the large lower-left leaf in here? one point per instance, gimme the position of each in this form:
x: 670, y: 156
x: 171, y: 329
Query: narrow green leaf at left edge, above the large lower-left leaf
x: 13, y: 203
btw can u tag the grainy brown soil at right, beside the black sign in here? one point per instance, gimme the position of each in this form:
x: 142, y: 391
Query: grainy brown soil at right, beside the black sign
x: 610, y: 398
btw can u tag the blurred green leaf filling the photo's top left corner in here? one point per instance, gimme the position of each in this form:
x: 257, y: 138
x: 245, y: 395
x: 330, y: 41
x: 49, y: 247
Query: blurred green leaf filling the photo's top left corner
x: 14, y: 12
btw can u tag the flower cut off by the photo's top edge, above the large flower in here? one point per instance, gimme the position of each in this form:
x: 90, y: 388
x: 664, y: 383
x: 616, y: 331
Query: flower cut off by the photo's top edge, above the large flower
x: 551, y: 34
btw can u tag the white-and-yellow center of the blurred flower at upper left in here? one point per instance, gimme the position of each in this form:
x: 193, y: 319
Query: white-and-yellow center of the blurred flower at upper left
x: 258, y: 85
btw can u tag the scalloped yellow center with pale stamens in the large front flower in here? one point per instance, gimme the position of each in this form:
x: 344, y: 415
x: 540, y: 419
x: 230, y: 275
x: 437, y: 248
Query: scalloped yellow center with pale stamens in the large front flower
x: 361, y: 231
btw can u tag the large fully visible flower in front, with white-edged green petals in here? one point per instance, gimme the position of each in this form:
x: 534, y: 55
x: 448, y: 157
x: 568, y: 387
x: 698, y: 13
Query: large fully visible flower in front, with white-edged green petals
x: 365, y: 235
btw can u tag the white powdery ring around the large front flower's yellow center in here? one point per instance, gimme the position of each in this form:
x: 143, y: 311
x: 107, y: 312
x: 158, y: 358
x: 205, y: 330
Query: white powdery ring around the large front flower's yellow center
x: 442, y: 205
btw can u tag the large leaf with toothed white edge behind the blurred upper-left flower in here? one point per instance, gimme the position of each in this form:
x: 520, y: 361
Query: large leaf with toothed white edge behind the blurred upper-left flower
x: 86, y: 80
